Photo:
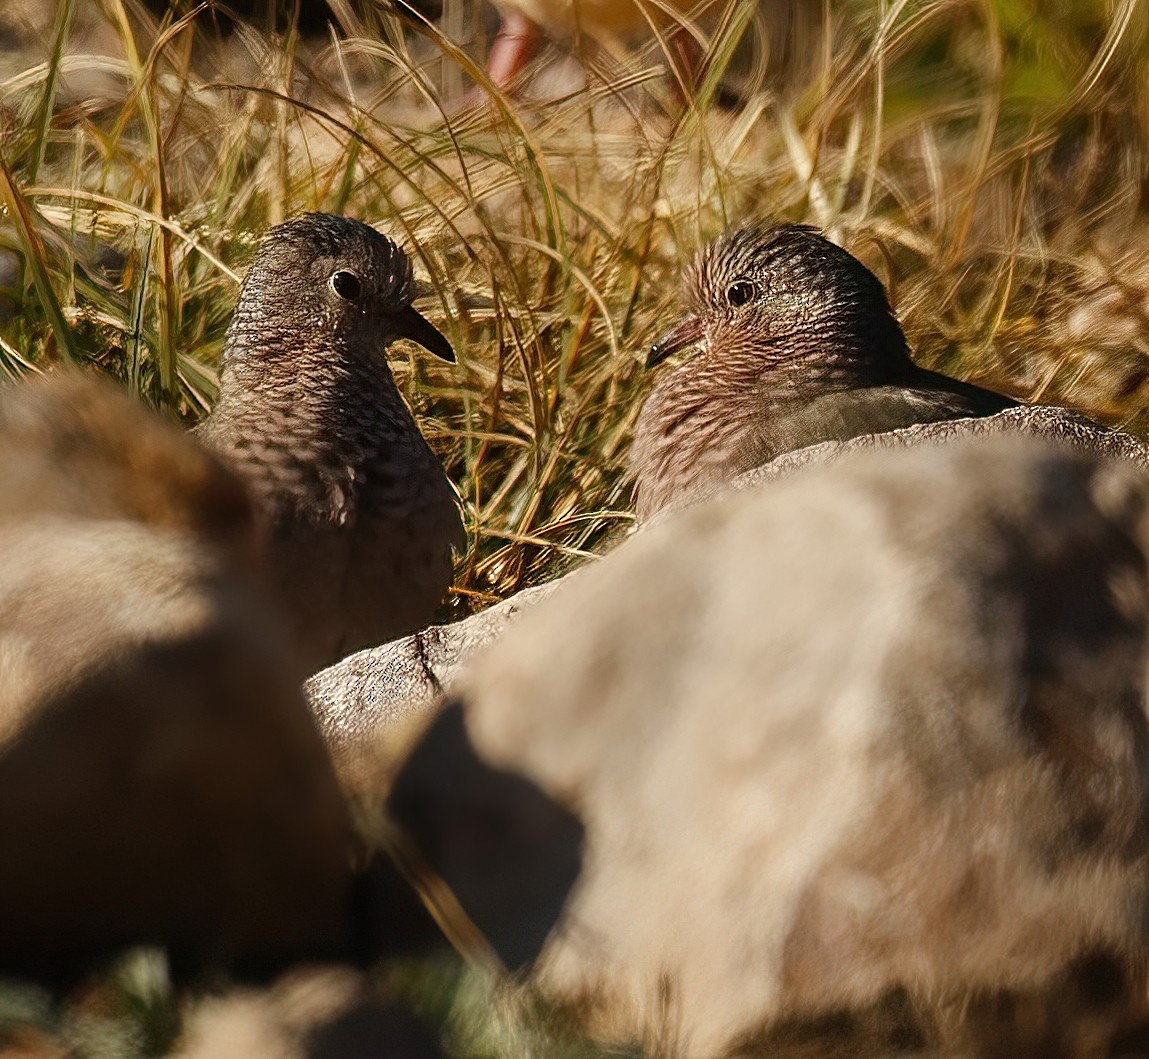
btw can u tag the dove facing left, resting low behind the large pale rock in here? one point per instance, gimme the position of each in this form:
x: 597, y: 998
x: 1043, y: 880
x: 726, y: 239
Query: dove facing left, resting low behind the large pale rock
x: 798, y: 345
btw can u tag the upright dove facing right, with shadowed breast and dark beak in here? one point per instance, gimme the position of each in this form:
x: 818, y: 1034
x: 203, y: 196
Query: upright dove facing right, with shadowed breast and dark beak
x: 359, y: 517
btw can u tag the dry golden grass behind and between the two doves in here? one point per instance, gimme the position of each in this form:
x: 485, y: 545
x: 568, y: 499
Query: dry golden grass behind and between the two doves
x: 988, y: 157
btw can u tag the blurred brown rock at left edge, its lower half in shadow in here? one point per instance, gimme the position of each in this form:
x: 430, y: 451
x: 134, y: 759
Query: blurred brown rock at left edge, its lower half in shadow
x: 161, y: 779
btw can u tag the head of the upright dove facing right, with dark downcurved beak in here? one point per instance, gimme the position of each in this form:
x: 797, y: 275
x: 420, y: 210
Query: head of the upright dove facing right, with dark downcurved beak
x: 328, y: 280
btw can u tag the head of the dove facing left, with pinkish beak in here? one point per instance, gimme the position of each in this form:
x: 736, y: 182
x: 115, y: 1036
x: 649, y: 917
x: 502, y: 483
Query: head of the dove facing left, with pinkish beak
x: 772, y: 298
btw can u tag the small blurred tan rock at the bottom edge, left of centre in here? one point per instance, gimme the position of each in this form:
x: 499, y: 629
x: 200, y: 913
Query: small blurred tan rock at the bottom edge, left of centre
x: 311, y: 1014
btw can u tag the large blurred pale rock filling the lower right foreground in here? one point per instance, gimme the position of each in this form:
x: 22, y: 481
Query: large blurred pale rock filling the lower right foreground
x: 878, y: 728
